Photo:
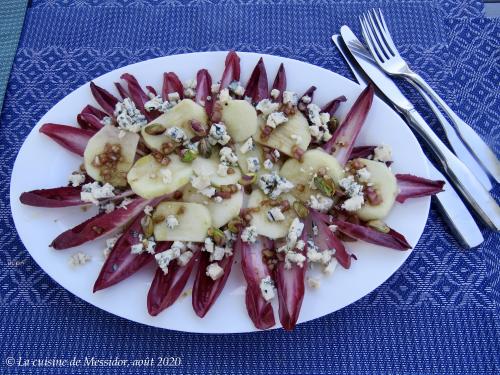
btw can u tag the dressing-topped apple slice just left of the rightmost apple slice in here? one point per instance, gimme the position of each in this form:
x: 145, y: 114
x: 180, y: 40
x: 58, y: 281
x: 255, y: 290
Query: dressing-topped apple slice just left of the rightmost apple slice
x: 302, y: 174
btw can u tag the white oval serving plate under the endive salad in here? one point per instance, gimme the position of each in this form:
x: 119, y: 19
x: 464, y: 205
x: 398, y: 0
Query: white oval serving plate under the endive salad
x: 42, y: 164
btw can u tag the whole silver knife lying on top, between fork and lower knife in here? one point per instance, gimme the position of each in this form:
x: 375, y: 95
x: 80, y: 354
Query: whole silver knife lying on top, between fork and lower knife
x: 459, y: 175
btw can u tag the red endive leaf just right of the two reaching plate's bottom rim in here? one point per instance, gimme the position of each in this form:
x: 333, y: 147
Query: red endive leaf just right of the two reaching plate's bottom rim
x: 326, y: 239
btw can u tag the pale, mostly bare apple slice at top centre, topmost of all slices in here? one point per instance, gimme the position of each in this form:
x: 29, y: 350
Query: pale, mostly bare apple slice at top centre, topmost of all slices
x: 240, y: 117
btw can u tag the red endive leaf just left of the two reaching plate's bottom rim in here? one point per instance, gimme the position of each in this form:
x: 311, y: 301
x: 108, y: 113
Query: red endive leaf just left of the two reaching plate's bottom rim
x: 205, y: 290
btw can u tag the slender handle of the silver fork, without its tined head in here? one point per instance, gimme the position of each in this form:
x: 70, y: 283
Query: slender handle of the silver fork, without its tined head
x: 475, y: 143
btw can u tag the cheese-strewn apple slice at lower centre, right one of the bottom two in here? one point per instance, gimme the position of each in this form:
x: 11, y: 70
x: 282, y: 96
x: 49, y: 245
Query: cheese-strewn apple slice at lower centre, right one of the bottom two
x: 260, y: 220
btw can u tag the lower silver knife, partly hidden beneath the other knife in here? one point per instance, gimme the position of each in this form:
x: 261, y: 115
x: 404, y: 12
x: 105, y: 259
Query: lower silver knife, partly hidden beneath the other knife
x: 455, y: 213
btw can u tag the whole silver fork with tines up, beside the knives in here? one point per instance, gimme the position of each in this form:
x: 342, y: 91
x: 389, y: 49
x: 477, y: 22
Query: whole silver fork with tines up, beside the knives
x: 386, y: 55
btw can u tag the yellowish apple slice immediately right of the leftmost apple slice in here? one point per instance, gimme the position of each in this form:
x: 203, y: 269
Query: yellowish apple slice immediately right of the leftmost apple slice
x: 150, y: 179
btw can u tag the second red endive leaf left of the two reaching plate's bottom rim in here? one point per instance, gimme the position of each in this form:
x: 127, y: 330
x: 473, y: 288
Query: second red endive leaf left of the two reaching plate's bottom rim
x: 166, y: 289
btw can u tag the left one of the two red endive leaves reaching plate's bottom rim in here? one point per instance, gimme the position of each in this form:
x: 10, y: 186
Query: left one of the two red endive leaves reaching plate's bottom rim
x: 254, y: 270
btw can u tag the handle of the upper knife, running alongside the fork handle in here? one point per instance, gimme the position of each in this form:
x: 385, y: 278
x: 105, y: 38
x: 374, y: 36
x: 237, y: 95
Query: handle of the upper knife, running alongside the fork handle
x: 471, y: 189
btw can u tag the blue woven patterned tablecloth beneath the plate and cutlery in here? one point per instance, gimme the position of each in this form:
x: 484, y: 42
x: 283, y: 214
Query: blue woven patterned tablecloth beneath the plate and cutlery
x: 437, y: 315
